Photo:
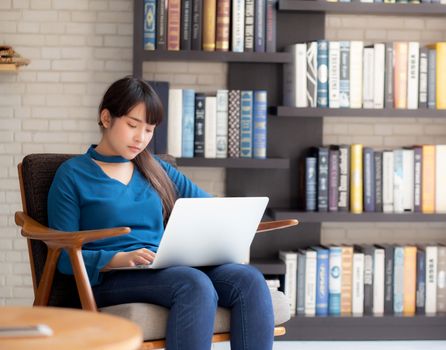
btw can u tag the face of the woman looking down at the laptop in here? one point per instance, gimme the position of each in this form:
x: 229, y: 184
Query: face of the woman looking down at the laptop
x: 129, y: 135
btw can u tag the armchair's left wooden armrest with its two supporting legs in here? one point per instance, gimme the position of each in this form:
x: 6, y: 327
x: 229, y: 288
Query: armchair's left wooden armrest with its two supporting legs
x: 72, y: 242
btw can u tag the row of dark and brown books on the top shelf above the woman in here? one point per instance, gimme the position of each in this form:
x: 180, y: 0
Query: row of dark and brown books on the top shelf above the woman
x: 210, y: 25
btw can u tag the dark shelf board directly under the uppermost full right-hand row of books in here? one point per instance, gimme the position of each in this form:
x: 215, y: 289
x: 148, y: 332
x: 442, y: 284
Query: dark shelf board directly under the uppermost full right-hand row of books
x: 294, y: 112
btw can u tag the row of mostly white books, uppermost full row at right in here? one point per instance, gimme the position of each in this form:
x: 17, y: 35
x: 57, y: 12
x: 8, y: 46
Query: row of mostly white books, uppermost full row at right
x: 349, y: 74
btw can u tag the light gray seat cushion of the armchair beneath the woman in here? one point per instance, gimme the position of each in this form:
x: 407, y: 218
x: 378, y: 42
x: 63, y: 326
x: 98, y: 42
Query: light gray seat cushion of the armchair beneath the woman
x: 153, y: 318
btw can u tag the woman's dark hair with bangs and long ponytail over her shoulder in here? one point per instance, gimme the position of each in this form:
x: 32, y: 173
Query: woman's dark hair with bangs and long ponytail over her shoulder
x: 119, y: 100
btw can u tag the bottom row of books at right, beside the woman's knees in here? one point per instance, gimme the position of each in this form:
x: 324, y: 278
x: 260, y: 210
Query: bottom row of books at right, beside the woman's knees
x: 366, y: 279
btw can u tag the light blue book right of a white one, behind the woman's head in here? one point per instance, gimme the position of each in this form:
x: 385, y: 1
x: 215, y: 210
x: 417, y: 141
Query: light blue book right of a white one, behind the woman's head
x: 187, y: 149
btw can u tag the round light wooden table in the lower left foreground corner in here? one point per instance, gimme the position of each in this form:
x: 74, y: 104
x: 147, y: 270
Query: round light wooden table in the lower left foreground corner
x: 73, y: 329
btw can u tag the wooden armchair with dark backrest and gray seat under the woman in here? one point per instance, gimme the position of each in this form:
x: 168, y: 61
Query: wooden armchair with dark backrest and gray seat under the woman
x: 52, y: 288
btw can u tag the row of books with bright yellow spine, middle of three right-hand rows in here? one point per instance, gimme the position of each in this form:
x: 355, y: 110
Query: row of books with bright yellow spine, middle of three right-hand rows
x: 357, y: 178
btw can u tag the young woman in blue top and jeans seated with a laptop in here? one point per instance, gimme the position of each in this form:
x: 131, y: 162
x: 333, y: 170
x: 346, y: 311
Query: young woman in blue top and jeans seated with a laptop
x: 119, y: 183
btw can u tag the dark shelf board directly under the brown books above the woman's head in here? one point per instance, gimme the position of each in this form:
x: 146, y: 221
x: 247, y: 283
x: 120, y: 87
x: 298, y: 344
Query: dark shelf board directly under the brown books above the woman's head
x: 214, y: 56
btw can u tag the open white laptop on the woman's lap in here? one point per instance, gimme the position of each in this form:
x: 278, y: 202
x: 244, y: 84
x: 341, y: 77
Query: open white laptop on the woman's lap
x: 208, y: 231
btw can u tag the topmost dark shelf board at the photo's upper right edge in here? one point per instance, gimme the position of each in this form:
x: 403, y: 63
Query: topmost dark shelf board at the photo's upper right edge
x: 363, y: 8
